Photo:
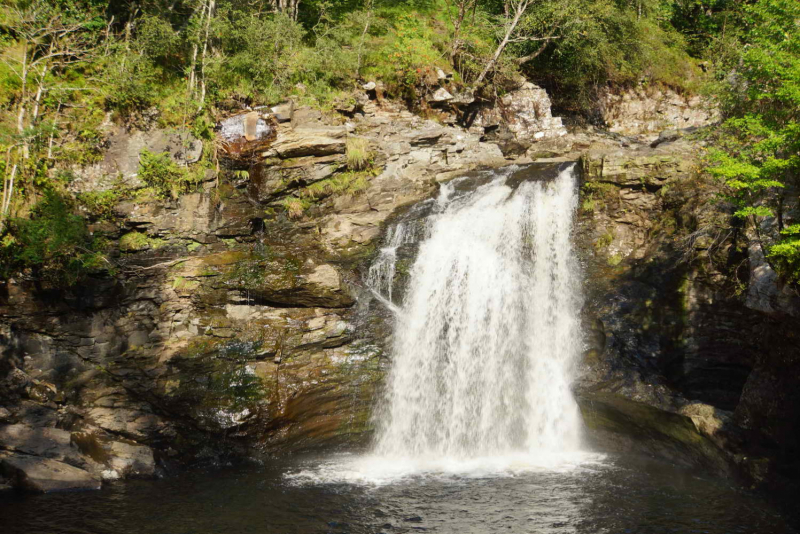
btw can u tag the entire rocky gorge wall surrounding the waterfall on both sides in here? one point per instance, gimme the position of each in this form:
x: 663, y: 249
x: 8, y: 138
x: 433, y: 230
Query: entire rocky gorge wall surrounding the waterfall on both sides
x: 235, y: 321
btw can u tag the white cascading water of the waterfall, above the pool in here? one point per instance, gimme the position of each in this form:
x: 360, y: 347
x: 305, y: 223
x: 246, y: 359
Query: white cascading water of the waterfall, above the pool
x: 488, y: 334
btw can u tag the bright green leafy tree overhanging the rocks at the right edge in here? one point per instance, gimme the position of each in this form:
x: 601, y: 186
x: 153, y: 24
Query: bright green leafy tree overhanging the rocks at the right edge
x: 757, y: 154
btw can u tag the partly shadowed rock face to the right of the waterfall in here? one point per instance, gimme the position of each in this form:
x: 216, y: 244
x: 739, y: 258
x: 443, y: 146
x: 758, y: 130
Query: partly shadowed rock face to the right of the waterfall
x: 683, y: 362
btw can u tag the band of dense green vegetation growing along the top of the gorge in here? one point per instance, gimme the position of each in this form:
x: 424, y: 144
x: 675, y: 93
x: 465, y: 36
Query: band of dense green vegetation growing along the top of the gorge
x: 69, y: 66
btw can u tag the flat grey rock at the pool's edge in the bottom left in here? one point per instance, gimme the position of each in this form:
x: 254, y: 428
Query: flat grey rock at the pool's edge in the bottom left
x: 43, y: 475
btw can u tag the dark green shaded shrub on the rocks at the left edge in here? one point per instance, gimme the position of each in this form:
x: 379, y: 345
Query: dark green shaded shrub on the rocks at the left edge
x: 52, y: 245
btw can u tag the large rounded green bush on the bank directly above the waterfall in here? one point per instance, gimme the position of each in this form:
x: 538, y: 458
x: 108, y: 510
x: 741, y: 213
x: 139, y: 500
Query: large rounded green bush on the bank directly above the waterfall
x: 599, y: 43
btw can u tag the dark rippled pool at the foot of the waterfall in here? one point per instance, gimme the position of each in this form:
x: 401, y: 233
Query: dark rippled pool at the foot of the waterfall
x: 616, y: 495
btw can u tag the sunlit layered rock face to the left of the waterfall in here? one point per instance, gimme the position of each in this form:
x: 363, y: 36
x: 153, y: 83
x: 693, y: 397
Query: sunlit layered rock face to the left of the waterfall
x: 232, y: 323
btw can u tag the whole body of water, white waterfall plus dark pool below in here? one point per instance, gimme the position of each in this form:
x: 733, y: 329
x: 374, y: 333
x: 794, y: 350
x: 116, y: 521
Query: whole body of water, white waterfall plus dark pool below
x: 477, y: 431
